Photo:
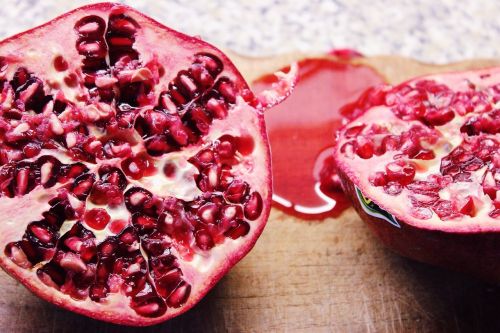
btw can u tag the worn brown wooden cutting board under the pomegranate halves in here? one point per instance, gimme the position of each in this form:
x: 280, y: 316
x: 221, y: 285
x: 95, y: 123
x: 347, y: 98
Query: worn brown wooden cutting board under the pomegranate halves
x: 317, y: 276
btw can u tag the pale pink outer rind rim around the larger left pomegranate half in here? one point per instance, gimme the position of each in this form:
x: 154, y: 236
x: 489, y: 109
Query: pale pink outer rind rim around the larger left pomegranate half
x: 117, y: 309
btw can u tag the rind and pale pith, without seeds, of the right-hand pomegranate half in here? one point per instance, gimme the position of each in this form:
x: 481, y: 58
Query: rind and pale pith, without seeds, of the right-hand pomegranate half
x: 465, y: 243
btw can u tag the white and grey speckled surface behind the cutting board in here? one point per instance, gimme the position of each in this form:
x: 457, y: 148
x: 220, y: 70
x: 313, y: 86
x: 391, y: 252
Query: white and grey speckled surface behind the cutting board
x: 429, y: 30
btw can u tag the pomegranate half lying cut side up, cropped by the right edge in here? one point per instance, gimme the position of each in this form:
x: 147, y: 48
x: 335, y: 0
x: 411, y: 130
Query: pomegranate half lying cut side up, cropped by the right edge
x: 421, y: 164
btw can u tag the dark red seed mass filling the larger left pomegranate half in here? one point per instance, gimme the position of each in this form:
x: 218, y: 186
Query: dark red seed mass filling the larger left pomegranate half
x: 108, y: 153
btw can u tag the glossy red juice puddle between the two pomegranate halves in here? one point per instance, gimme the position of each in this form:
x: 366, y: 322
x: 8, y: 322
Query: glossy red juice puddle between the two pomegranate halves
x: 301, y: 132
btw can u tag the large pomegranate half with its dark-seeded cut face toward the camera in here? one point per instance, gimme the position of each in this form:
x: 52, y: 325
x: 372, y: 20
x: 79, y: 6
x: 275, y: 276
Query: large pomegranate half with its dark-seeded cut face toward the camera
x: 134, y: 165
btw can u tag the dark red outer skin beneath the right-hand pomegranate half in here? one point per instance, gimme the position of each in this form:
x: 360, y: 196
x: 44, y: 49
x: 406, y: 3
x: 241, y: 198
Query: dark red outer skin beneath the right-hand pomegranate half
x: 476, y: 254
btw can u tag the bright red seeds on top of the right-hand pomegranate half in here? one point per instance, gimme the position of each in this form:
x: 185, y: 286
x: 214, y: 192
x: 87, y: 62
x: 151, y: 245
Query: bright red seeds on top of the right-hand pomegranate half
x: 442, y: 151
